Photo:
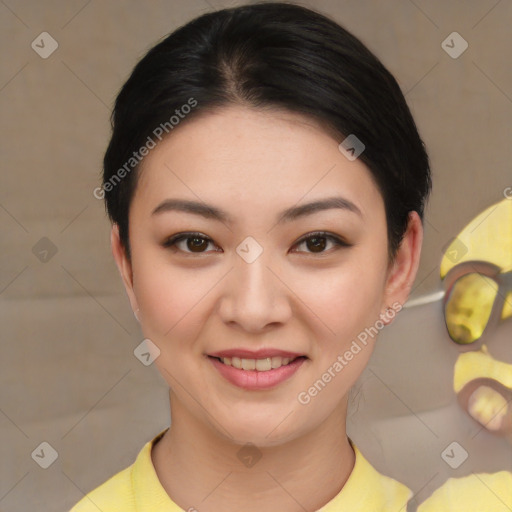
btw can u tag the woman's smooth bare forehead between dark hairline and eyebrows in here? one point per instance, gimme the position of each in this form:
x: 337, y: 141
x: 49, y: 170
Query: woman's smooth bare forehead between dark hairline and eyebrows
x: 258, y: 158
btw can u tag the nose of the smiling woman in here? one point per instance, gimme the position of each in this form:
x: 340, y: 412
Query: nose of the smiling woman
x: 255, y: 296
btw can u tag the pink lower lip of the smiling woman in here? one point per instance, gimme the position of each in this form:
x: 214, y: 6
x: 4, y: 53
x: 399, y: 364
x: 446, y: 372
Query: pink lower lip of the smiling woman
x: 253, y: 379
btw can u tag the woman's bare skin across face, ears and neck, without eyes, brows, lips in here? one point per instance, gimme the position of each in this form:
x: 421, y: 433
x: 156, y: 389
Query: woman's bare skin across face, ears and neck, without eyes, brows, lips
x: 293, y: 297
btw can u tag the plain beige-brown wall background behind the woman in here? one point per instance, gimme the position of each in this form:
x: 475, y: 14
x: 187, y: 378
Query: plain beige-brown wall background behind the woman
x: 68, y: 373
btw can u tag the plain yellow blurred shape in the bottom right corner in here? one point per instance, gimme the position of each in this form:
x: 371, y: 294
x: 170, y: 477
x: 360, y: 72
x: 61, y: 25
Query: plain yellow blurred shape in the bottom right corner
x: 479, y: 492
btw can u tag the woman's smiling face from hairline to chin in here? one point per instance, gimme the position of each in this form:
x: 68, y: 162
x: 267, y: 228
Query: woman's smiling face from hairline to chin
x: 251, y: 279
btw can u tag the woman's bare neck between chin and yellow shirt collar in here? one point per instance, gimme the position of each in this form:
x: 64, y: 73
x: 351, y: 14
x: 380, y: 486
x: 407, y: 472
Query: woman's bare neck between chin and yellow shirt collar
x: 202, y: 470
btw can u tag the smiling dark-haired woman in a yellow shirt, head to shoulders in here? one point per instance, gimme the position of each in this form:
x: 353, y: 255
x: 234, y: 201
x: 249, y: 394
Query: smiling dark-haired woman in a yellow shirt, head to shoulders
x: 256, y: 245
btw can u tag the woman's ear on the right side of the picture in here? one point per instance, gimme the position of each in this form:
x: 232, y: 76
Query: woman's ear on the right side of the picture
x: 402, y: 271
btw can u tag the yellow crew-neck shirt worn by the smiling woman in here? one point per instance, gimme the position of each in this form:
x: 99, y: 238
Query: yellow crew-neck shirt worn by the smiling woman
x: 138, y: 489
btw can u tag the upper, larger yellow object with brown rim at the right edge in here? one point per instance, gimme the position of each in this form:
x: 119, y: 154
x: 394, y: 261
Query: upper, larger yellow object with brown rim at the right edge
x: 476, y: 268
